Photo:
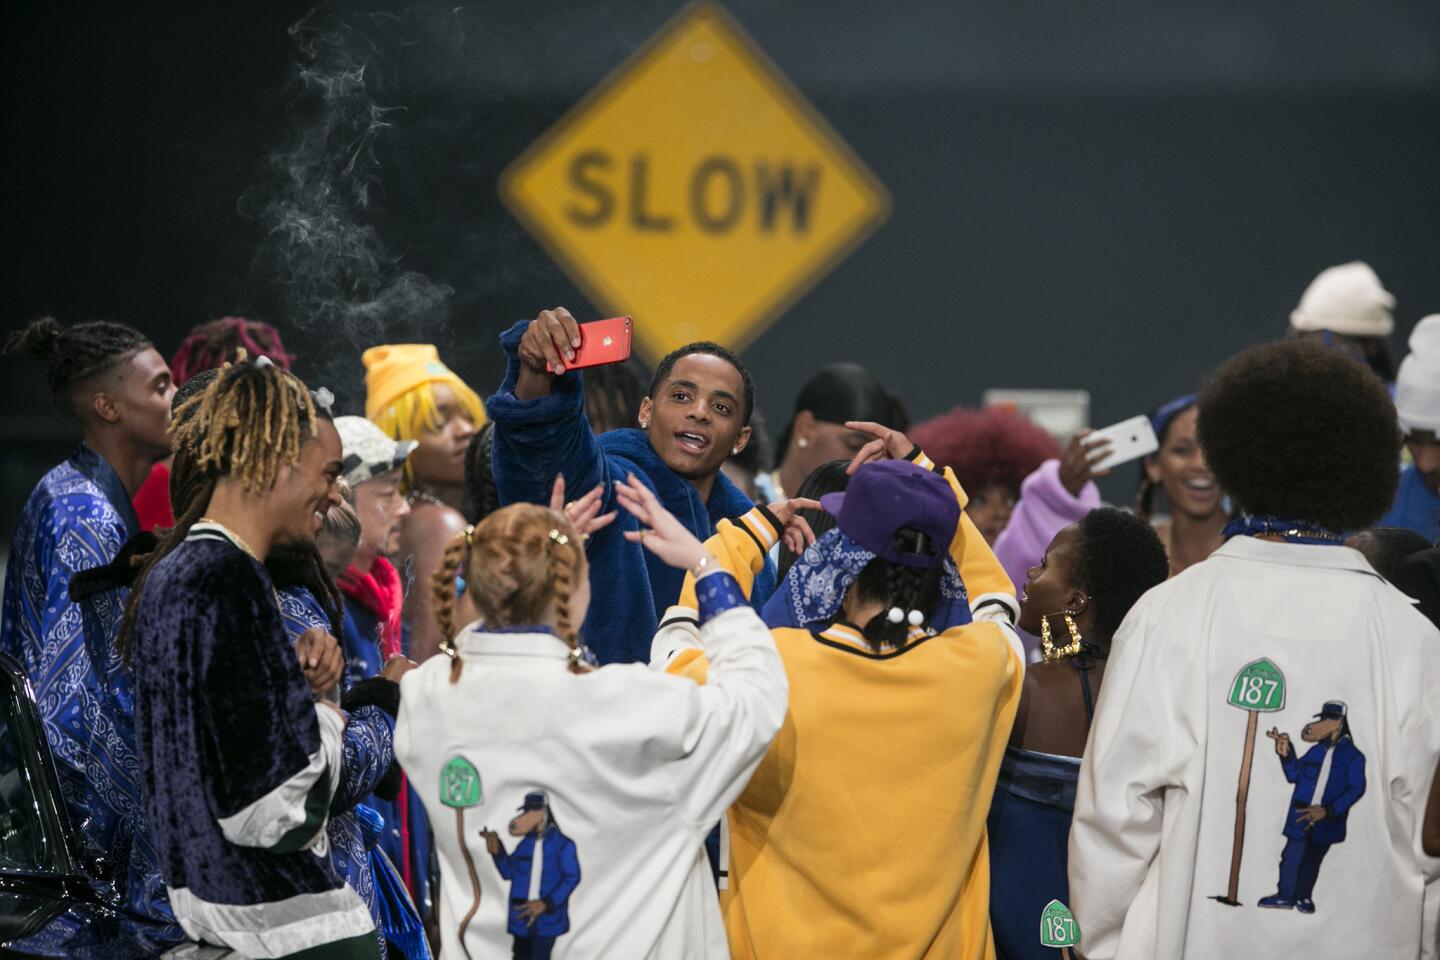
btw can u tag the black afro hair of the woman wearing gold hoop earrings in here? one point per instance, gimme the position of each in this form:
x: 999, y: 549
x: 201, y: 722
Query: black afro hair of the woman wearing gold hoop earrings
x: 1120, y: 559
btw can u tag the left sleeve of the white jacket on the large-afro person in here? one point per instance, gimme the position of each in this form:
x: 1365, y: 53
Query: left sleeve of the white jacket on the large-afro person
x: 1120, y: 801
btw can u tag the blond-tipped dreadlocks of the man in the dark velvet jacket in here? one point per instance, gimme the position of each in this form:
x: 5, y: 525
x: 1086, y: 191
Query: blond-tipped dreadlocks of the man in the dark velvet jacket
x: 253, y: 418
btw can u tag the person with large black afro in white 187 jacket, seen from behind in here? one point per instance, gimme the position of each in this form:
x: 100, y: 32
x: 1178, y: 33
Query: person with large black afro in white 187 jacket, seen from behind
x: 1194, y: 836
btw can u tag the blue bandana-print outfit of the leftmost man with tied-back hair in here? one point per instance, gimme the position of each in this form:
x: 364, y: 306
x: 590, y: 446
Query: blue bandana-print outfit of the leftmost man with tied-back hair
x: 78, y: 517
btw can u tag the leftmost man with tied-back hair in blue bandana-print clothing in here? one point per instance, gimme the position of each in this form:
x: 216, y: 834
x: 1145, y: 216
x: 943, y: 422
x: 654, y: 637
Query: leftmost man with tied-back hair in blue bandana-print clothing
x: 112, y: 381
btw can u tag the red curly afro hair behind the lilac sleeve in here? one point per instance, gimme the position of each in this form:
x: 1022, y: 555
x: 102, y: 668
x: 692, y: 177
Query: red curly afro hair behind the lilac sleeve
x: 991, y: 447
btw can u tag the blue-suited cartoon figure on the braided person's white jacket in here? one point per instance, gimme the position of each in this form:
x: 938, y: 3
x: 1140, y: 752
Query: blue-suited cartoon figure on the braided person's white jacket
x: 544, y: 871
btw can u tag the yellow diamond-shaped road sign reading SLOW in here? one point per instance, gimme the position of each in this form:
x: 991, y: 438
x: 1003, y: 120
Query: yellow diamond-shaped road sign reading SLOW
x: 696, y: 189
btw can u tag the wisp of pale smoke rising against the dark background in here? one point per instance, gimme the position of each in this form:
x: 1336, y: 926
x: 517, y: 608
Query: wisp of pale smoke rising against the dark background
x: 322, y: 250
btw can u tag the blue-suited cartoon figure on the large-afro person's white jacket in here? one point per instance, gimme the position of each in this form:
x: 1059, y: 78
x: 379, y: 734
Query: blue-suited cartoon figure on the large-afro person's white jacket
x: 1330, y: 779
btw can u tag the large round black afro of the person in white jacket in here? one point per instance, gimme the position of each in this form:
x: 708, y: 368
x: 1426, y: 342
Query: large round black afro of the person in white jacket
x: 1298, y: 431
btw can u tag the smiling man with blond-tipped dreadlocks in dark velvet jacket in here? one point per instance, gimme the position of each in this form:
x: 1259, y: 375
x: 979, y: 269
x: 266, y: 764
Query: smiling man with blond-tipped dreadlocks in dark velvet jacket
x: 241, y: 761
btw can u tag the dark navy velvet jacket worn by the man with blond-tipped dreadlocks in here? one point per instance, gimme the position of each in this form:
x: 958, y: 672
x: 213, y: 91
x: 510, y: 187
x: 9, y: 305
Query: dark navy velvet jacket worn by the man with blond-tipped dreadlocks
x: 225, y: 722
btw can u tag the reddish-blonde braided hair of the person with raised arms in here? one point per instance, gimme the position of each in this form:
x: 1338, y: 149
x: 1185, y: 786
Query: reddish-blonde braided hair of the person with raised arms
x: 518, y: 563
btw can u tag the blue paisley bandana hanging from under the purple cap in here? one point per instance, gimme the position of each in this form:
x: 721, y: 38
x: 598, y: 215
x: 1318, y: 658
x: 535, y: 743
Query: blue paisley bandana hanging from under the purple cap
x: 816, y: 587
